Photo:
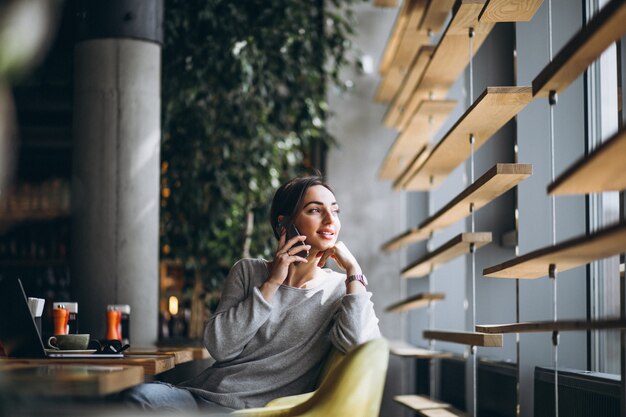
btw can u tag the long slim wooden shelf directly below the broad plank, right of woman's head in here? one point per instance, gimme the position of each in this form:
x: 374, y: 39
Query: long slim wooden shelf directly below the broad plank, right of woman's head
x: 495, y: 182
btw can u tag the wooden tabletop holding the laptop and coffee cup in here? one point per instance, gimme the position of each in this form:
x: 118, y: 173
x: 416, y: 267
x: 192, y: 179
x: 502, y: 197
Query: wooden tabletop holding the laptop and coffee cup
x: 152, y: 364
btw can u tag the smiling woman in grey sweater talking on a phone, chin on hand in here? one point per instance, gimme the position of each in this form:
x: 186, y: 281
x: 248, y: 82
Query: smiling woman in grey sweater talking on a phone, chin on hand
x: 278, y: 320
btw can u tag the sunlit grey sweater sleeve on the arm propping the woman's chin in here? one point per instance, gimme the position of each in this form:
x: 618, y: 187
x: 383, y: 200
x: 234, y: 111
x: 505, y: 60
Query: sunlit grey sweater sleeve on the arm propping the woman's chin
x: 355, y: 322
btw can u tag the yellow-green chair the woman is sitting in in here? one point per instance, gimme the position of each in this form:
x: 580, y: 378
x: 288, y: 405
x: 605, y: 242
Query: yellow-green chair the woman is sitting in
x: 350, y: 385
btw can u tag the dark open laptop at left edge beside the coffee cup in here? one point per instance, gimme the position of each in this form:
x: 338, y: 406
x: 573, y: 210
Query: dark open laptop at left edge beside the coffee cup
x: 18, y: 331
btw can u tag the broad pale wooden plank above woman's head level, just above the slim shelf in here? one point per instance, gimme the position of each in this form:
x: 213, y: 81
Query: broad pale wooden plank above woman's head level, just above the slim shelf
x: 492, y: 110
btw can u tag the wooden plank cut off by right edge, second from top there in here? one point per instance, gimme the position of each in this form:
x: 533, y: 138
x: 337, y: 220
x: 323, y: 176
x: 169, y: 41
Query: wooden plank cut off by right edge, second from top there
x: 602, y: 170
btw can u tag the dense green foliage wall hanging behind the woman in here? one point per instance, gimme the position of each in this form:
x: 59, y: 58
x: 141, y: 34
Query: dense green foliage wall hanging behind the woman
x: 243, y: 101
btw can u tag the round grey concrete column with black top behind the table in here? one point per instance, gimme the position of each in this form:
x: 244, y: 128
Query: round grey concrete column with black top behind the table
x: 115, y: 177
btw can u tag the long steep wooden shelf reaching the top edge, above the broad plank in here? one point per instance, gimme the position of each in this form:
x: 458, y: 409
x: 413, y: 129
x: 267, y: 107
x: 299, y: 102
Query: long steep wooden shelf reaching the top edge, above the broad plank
x: 450, y: 58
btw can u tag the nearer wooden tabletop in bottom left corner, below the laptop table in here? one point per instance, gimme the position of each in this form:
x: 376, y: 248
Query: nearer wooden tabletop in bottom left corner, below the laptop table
x: 77, y: 380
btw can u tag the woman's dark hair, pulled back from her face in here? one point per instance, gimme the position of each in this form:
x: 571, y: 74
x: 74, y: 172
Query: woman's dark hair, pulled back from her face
x: 288, y: 199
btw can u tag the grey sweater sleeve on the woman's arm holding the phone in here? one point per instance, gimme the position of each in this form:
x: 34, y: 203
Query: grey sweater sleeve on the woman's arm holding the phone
x: 238, y: 317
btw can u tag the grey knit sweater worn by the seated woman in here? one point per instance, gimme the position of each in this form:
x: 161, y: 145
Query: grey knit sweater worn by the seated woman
x: 265, y: 350
